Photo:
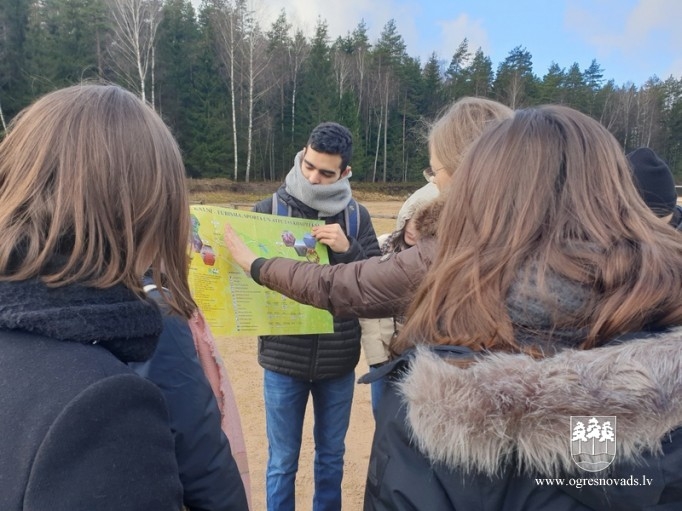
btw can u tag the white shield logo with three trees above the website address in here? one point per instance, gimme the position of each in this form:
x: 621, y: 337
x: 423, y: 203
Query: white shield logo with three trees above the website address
x: 593, y: 441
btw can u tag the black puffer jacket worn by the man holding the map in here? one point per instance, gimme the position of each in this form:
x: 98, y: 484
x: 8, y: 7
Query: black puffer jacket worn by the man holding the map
x: 319, y: 356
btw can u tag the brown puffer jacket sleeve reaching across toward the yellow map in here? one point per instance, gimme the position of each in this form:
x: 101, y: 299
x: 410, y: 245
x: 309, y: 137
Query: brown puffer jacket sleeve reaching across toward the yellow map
x: 374, y: 288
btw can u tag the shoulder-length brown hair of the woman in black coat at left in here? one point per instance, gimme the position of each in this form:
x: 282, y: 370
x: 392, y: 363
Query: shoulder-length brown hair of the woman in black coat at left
x: 92, y: 188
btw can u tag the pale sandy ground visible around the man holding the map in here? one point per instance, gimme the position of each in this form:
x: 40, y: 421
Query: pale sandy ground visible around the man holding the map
x: 246, y: 377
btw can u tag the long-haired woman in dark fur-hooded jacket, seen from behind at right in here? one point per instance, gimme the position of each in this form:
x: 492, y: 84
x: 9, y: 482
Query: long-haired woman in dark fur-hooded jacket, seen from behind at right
x: 548, y: 320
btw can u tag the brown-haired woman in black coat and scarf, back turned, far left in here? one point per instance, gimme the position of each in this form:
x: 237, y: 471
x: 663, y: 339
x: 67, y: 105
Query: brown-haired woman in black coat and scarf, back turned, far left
x: 92, y: 188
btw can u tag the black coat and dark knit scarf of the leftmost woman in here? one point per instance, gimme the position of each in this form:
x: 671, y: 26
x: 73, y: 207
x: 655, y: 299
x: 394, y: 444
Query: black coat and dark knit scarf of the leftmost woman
x: 80, y: 430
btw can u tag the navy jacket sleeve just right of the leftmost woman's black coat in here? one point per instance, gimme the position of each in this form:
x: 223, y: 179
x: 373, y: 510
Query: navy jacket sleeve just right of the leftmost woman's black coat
x: 209, y: 474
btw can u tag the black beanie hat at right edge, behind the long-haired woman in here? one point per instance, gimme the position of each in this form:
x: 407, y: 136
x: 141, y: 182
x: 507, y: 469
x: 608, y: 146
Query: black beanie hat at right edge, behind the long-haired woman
x: 654, y: 181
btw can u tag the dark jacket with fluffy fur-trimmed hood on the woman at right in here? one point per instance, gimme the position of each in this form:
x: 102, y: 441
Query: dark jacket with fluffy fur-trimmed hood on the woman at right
x: 497, y: 435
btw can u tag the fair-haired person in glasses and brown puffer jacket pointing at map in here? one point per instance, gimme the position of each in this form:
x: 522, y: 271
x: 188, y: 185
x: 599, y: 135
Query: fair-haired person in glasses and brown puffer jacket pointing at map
x: 381, y: 286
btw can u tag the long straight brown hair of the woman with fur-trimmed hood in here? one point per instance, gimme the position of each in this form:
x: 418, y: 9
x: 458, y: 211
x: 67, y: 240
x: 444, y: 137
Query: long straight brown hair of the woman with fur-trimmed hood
x: 550, y: 186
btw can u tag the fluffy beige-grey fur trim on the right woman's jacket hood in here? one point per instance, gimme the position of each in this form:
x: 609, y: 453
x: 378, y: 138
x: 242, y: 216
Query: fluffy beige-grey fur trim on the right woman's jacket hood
x: 511, y: 408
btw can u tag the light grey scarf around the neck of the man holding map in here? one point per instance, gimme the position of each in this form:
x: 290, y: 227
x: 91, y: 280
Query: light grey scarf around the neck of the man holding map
x: 327, y: 200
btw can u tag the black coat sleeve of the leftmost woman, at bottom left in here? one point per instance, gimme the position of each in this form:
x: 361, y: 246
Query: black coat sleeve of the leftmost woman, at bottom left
x: 110, y: 449
